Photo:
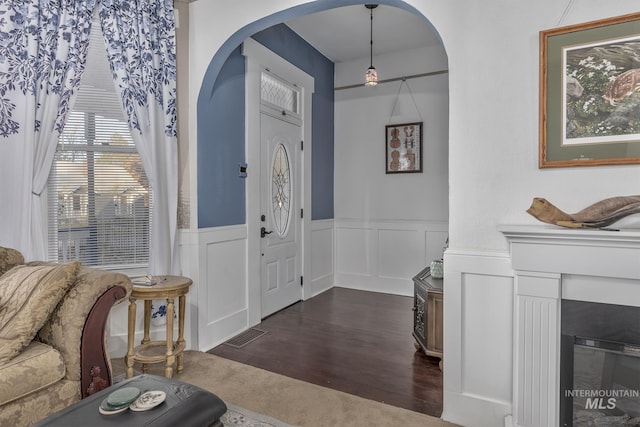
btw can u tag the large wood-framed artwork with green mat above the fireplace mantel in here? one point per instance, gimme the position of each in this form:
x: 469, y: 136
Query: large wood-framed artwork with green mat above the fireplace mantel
x: 590, y: 93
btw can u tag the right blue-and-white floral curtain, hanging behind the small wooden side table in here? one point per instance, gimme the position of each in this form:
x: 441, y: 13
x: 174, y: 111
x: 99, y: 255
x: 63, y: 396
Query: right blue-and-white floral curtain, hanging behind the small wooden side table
x: 140, y: 40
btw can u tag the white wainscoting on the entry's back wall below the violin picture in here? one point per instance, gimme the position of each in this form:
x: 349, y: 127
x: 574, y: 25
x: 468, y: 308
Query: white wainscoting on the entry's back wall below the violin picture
x: 383, y: 256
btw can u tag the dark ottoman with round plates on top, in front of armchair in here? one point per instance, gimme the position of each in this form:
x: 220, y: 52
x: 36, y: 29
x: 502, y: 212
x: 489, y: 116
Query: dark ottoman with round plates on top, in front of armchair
x: 185, y: 405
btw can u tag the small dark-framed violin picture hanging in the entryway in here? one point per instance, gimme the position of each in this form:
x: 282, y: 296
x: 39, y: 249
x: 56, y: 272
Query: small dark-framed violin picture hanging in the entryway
x: 403, y: 148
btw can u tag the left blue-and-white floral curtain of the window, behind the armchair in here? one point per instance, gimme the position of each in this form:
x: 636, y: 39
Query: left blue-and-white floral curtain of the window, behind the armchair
x: 43, y: 47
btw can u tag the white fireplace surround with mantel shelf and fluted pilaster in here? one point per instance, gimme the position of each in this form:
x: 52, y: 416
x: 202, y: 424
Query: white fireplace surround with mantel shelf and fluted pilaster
x: 550, y: 264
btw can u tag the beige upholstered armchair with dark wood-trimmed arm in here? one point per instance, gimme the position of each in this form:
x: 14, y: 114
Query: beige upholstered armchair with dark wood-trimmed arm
x: 52, y: 334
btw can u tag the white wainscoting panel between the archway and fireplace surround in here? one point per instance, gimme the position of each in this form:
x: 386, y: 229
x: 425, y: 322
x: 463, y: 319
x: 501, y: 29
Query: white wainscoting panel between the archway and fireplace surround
x: 478, y: 338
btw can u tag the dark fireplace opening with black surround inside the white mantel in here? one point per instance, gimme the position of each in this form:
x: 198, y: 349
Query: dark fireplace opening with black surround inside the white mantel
x: 599, y: 365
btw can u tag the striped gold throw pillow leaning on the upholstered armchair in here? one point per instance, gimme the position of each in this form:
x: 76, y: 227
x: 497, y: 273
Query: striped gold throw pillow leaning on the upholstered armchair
x: 28, y: 296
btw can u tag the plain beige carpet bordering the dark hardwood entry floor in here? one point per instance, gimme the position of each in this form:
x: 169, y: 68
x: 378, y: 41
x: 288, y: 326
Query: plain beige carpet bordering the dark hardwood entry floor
x: 286, y: 399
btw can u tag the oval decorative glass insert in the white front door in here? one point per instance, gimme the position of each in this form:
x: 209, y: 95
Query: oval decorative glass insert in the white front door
x: 281, y: 190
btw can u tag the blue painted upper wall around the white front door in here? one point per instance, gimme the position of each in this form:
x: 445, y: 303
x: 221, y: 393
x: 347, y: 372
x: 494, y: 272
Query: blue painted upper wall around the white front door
x: 221, y: 135
